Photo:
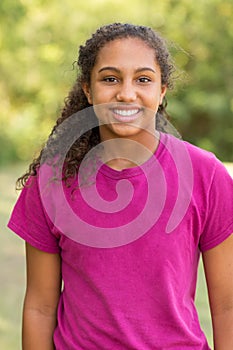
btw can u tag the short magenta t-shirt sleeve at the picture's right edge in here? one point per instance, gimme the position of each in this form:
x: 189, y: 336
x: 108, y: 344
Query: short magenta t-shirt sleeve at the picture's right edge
x: 218, y: 223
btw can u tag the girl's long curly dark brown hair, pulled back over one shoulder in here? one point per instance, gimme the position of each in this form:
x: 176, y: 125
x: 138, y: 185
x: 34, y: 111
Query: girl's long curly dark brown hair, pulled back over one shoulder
x: 76, y: 100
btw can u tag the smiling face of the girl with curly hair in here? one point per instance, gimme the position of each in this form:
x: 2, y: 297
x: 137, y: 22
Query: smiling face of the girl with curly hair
x: 127, y: 77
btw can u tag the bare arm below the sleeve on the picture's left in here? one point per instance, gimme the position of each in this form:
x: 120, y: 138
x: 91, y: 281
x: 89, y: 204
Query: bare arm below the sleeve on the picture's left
x: 41, y: 299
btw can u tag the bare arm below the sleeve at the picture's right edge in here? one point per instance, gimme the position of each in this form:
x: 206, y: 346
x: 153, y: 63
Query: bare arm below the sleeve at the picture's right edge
x: 218, y: 264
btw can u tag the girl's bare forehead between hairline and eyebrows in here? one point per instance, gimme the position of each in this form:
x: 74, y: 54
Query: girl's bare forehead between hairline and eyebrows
x: 123, y: 51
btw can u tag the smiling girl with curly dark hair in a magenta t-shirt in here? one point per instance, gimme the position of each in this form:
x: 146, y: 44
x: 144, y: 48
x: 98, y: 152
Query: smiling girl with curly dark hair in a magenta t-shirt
x: 116, y: 211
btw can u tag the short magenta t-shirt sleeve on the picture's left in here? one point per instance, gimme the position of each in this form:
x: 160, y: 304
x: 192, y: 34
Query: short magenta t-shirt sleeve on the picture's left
x: 29, y: 220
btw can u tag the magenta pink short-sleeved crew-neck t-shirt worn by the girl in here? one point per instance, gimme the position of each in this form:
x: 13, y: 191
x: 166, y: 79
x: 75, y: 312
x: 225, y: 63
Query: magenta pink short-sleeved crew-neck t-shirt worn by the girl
x: 129, y: 265
